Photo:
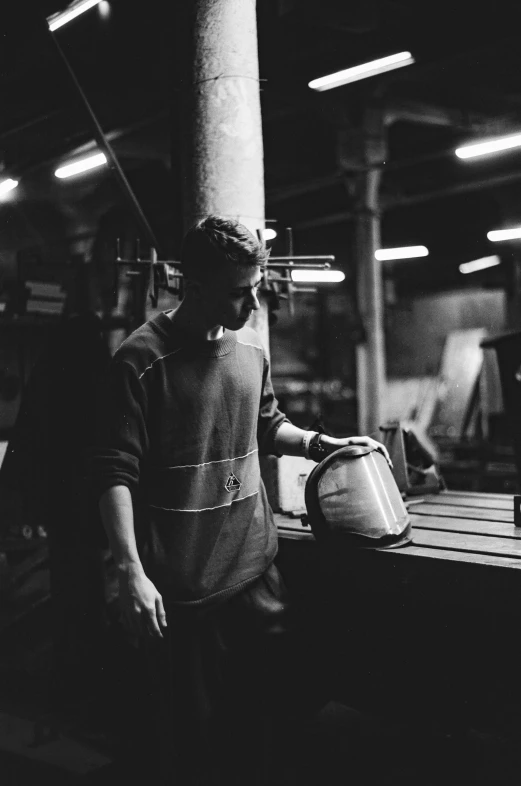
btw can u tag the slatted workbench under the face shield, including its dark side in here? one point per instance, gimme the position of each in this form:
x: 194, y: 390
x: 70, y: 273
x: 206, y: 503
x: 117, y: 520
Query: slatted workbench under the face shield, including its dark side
x: 441, y: 616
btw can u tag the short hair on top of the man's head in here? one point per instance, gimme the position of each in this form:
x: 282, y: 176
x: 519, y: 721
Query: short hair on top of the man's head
x: 215, y: 240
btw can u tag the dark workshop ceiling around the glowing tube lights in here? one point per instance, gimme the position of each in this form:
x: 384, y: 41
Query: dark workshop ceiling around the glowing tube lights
x: 465, y: 84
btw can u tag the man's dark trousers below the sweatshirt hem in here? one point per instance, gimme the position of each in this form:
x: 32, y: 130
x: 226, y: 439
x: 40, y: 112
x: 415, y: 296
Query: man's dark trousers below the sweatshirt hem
x: 227, y: 689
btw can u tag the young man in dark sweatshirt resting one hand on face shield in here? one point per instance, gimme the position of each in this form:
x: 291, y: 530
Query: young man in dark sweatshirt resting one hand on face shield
x: 190, y: 407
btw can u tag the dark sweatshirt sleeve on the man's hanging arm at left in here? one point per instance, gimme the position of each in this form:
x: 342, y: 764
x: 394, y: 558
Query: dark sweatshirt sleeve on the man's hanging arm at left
x: 122, y: 441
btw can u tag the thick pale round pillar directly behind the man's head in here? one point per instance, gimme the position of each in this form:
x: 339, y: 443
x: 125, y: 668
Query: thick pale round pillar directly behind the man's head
x: 222, y: 150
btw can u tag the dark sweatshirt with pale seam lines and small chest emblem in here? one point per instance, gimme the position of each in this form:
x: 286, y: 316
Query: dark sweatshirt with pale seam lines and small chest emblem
x: 185, y: 422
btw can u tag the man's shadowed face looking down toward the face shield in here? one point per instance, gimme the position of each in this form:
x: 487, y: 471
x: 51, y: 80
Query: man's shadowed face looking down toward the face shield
x: 230, y: 299
